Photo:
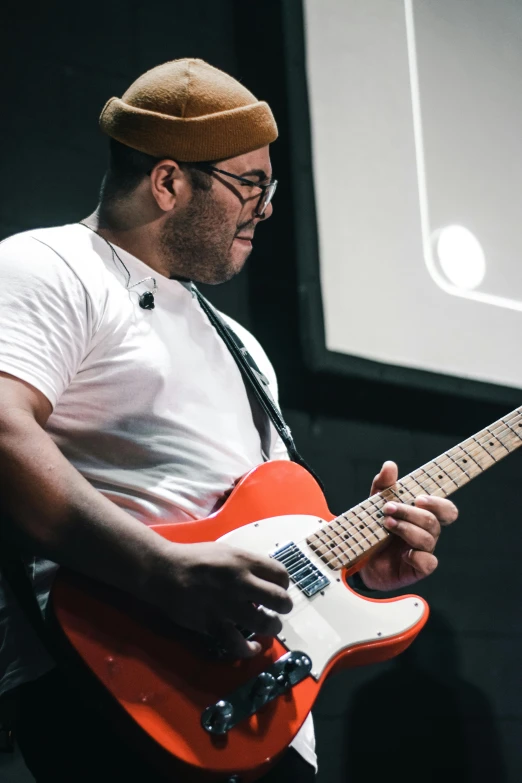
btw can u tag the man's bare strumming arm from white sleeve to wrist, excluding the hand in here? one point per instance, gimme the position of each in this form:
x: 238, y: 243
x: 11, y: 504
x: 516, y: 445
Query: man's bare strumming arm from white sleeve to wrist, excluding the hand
x: 55, y: 512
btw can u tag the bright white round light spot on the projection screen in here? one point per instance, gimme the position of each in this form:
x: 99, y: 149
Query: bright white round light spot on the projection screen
x: 460, y: 256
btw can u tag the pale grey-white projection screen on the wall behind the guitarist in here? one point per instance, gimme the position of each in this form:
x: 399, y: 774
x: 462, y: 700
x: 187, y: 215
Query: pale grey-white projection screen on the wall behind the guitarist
x: 415, y: 112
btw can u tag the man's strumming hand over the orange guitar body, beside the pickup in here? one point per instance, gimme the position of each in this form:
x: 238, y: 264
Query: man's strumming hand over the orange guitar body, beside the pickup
x: 212, y: 588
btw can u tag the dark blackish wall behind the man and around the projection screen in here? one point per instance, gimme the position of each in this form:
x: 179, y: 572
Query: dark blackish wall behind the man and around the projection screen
x: 450, y: 707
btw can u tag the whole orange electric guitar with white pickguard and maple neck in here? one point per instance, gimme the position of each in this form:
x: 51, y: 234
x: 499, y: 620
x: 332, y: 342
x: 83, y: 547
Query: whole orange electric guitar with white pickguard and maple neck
x: 229, y: 720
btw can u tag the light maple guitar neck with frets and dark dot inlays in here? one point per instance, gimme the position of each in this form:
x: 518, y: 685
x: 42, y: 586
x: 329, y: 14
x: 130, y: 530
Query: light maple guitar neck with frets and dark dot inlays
x: 353, y: 535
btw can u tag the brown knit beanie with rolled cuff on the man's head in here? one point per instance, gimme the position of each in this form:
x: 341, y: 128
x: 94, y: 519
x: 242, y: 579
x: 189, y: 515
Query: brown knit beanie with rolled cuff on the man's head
x: 189, y: 111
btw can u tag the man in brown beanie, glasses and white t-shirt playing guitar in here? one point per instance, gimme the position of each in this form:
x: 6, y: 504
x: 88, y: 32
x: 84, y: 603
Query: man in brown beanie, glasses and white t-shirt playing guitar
x: 115, y: 414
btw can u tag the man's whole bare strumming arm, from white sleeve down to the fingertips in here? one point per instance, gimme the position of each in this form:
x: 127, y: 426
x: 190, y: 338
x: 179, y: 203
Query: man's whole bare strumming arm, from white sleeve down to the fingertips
x: 53, y: 512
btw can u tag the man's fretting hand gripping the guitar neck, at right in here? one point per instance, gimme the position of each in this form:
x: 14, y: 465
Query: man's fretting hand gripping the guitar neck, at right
x: 408, y: 555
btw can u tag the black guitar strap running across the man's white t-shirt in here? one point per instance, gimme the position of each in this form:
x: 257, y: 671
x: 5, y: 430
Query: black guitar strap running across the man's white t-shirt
x: 254, y: 380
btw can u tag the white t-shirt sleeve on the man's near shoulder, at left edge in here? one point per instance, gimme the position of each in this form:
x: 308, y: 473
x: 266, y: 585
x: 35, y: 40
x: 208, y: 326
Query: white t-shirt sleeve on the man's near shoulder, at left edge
x: 45, y: 316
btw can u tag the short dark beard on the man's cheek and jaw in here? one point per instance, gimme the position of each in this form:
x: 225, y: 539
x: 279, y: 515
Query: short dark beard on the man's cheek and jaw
x: 196, y: 242
